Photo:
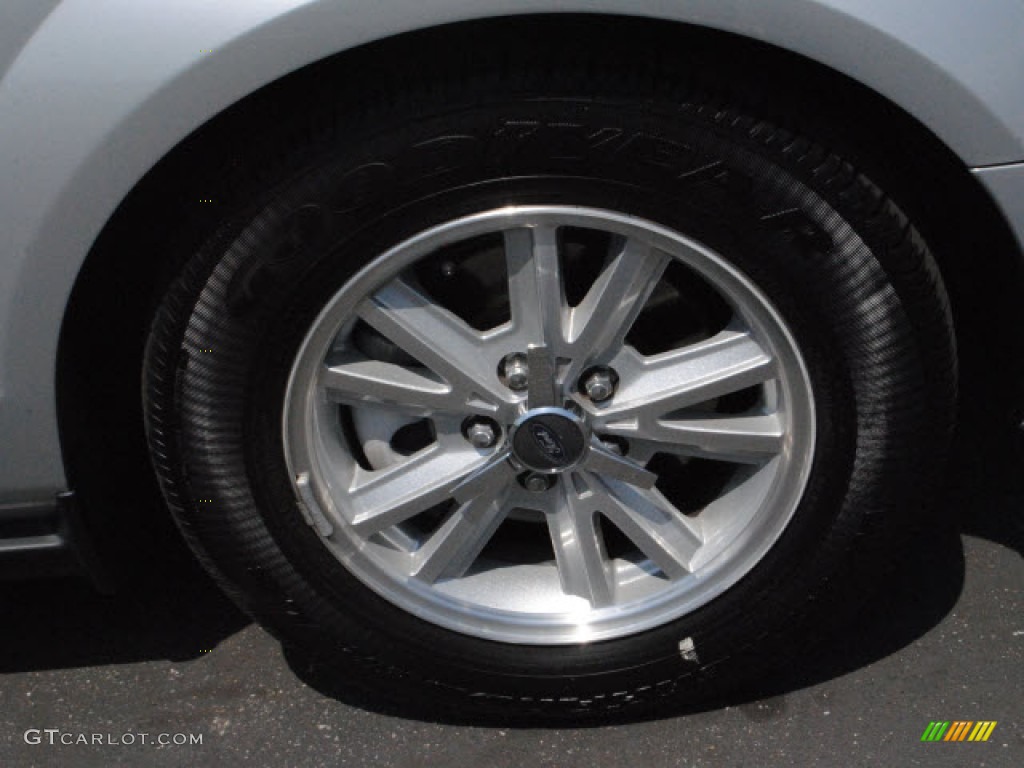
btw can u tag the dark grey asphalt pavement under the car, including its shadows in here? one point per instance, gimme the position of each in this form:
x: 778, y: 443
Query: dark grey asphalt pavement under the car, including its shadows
x: 179, y: 664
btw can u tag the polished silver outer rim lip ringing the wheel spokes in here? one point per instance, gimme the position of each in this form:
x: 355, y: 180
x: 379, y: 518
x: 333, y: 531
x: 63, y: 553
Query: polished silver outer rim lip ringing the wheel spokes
x: 301, y: 432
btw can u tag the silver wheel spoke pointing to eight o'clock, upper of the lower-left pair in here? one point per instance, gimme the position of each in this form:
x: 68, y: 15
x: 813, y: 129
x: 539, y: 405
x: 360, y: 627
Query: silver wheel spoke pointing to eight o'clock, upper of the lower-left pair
x: 380, y: 500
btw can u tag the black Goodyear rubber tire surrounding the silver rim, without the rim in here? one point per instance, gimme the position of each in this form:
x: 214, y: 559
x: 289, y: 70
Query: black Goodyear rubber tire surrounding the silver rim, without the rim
x: 844, y: 267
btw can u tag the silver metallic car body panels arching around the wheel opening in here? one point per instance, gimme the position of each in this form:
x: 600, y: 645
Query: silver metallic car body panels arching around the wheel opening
x: 95, y: 93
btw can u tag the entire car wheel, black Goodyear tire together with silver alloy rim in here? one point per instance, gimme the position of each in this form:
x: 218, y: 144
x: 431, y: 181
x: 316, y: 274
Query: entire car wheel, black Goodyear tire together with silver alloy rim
x: 561, y: 396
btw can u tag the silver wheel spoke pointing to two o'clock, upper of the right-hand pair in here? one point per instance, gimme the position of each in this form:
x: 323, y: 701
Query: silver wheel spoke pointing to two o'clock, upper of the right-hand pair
x: 657, y: 387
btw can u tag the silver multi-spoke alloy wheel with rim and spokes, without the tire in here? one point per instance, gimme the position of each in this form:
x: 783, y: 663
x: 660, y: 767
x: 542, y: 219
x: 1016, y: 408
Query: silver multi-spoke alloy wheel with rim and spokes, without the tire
x: 620, y: 554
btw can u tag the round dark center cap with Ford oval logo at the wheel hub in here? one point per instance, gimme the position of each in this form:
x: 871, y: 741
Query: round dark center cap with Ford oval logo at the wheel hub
x: 549, y: 440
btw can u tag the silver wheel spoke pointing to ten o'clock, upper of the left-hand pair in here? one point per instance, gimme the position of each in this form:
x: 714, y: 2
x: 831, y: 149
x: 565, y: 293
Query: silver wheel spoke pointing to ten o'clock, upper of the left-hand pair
x: 438, y: 339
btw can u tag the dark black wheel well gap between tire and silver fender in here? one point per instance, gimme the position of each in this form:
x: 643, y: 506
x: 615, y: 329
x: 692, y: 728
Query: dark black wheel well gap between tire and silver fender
x: 162, y: 222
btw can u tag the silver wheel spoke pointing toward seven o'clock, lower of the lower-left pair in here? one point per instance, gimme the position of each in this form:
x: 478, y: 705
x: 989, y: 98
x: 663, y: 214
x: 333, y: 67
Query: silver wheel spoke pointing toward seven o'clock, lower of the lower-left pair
x: 456, y: 545
